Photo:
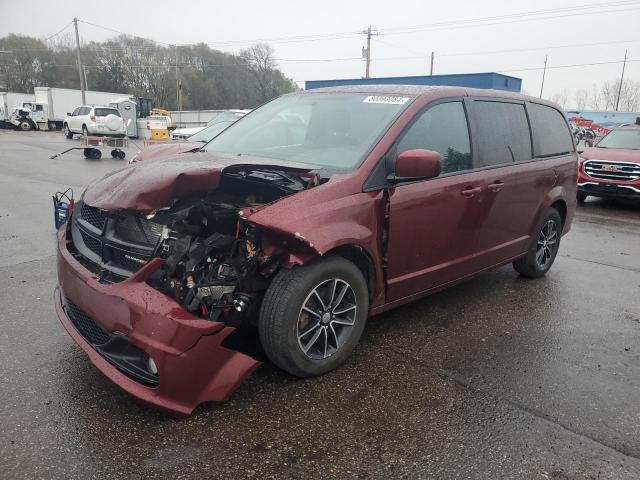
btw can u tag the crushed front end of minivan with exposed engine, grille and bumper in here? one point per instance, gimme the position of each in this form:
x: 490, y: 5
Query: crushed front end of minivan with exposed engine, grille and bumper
x: 154, y: 298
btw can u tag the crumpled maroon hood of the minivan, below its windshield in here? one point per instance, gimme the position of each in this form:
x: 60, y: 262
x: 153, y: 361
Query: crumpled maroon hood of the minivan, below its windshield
x: 153, y: 184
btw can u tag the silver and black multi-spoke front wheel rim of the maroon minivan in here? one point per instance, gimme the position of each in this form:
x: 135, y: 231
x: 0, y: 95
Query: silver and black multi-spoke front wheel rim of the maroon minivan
x: 326, y: 318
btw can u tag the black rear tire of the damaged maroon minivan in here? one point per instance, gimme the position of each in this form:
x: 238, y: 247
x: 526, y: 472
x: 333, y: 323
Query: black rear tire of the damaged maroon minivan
x: 529, y: 266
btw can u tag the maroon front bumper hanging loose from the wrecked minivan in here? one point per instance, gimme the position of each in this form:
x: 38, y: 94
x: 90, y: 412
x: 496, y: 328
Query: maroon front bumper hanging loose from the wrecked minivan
x: 192, y: 364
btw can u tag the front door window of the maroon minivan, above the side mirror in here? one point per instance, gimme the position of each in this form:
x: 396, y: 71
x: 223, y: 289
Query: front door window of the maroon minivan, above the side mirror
x: 443, y: 129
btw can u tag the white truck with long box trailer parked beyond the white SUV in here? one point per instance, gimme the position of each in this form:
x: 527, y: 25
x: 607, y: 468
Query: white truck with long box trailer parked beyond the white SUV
x: 52, y: 105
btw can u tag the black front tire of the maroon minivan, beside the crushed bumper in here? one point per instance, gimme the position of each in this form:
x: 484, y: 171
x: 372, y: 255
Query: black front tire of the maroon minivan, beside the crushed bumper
x: 281, y: 314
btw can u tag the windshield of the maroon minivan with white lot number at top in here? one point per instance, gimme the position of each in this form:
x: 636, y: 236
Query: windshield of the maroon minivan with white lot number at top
x: 334, y: 130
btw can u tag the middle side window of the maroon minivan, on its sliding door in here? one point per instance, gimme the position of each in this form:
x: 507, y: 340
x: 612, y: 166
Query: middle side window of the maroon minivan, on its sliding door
x: 503, y: 133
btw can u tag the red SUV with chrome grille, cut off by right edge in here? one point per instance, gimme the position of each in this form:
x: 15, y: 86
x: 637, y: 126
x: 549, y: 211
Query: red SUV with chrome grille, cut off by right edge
x: 612, y: 167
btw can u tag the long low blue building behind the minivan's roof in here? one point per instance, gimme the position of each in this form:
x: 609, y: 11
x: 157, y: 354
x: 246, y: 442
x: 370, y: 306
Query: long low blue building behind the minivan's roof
x: 472, y: 80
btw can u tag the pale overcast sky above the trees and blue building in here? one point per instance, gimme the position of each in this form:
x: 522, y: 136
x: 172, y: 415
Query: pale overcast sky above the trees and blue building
x: 398, y: 51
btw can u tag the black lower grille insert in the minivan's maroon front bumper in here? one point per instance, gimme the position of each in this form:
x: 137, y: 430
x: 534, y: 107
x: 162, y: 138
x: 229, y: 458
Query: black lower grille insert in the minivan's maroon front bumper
x: 115, y: 348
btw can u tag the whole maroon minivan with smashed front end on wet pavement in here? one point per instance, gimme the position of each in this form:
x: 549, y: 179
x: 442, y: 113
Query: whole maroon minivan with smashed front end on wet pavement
x: 305, y: 217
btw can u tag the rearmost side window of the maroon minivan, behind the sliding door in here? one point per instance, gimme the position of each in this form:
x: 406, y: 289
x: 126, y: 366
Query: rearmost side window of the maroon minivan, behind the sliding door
x: 551, y: 135
